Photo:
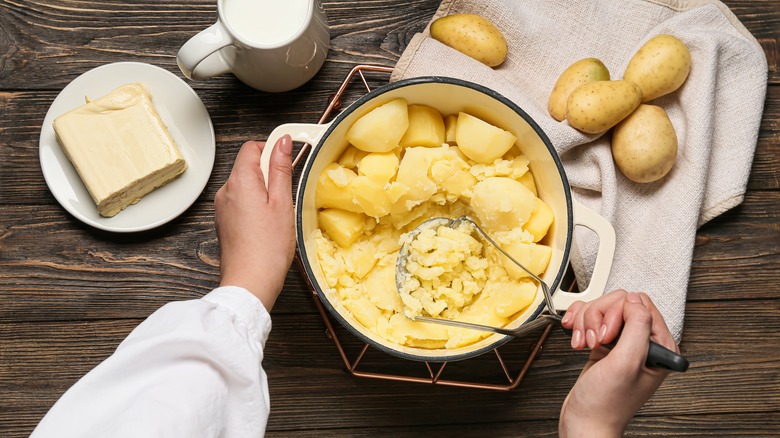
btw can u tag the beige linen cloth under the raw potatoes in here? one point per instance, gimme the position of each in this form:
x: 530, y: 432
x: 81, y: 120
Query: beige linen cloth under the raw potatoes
x: 716, y: 114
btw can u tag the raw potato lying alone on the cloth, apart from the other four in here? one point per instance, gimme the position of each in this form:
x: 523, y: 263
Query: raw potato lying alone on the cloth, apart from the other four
x: 471, y: 35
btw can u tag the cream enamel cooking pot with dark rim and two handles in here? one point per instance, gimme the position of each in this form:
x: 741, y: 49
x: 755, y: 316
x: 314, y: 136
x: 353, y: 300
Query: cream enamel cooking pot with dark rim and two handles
x: 449, y: 96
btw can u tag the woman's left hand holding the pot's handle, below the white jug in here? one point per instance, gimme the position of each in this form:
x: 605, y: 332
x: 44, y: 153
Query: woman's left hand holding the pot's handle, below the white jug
x: 255, y: 226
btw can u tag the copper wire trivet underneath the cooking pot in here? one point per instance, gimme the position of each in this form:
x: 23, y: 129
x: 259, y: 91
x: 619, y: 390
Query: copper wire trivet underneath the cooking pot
x: 510, y: 372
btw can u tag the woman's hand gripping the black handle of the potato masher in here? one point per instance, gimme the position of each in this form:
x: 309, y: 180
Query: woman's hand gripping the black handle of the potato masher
x: 614, y: 384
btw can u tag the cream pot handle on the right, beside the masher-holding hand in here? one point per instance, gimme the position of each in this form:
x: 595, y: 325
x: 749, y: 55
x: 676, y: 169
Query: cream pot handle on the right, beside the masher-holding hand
x: 606, y: 253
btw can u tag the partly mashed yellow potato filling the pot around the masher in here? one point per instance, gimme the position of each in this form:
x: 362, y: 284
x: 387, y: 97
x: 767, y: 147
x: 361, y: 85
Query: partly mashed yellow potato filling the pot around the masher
x: 369, y: 201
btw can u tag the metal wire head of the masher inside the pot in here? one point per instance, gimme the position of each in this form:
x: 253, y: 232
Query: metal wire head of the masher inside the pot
x: 402, y: 275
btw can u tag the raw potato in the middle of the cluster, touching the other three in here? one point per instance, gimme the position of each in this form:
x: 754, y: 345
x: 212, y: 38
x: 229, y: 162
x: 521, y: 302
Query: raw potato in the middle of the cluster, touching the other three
x: 595, y: 107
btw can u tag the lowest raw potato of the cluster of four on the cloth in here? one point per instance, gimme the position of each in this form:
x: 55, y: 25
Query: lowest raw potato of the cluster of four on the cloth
x: 644, y: 145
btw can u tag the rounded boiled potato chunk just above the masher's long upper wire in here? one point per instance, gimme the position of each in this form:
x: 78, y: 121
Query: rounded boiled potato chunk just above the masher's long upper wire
x: 502, y: 203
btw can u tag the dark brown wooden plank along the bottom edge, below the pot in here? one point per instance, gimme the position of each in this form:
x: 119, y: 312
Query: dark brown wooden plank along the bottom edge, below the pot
x: 732, y: 371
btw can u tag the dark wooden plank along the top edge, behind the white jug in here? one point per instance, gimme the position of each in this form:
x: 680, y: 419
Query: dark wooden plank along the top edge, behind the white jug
x: 59, y: 39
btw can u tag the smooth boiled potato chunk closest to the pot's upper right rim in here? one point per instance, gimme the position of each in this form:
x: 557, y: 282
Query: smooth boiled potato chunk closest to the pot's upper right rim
x: 481, y: 141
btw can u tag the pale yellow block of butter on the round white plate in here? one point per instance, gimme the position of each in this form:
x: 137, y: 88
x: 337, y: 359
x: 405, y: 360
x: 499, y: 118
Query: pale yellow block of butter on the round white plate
x: 120, y: 147
